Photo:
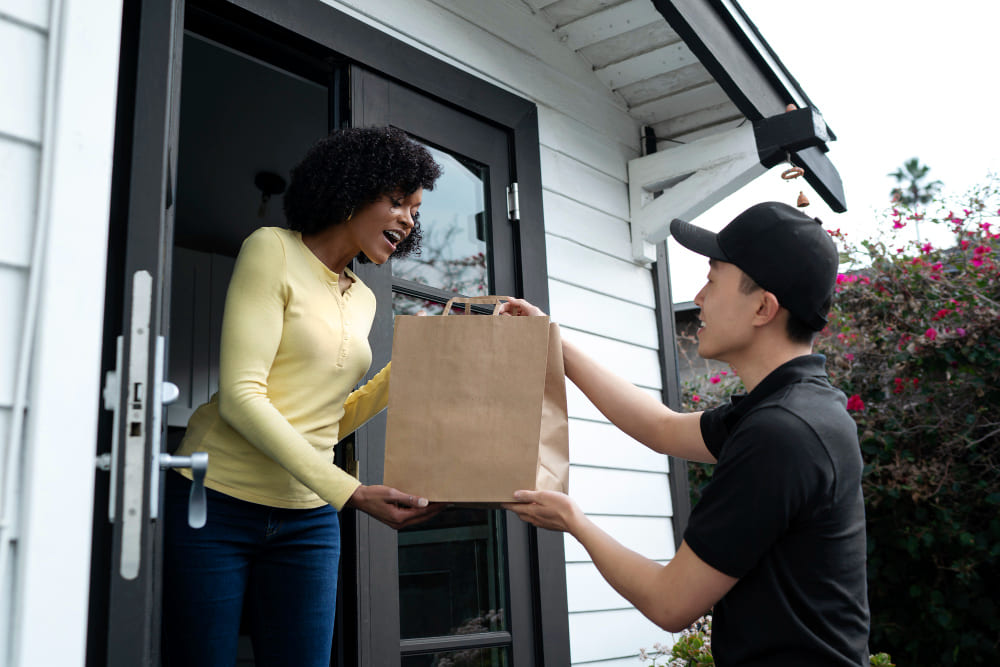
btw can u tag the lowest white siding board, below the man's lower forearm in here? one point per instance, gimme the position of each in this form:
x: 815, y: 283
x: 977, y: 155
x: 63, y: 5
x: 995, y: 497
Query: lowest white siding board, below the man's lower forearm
x: 612, y: 634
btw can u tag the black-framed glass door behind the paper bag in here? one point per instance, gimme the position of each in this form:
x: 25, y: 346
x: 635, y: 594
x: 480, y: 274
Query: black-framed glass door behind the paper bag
x: 460, y: 591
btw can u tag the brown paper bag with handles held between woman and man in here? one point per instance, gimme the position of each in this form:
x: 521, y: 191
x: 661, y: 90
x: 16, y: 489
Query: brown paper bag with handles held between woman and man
x: 477, y: 406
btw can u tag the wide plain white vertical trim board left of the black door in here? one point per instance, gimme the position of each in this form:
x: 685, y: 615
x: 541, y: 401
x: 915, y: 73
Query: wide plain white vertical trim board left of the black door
x: 57, y: 499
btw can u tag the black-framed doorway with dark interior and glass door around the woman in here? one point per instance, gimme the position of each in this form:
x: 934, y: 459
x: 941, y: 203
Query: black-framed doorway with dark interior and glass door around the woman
x: 253, y: 97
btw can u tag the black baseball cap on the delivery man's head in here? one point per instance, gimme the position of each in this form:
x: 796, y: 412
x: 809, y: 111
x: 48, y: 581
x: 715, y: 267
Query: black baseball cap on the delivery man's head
x: 784, y: 250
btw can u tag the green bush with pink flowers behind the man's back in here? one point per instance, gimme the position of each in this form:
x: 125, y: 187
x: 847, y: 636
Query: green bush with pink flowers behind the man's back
x: 914, y: 342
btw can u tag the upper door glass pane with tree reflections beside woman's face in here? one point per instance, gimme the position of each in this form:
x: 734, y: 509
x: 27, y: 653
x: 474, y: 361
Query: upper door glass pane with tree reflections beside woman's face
x: 455, y: 227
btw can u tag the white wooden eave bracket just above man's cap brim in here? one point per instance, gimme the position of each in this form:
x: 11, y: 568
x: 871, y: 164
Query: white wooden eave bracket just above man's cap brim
x: 692, y: 178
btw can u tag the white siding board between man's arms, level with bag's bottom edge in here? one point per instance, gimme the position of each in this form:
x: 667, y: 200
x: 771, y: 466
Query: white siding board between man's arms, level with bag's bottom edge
x: 622, y: 492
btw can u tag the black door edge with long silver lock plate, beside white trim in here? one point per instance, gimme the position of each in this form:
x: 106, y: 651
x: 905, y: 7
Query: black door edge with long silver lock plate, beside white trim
x: 125, y: 566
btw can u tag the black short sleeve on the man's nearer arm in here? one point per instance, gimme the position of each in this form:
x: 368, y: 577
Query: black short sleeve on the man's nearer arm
x: 772, y: 473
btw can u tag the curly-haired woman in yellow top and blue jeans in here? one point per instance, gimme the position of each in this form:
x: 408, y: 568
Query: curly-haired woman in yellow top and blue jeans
x: 294, y: 344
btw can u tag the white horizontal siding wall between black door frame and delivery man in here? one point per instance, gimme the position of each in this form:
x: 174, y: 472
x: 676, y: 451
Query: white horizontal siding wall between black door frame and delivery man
x: 603, y: 301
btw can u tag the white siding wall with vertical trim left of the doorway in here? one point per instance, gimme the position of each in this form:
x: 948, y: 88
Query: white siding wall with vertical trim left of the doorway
x: 57, y: 84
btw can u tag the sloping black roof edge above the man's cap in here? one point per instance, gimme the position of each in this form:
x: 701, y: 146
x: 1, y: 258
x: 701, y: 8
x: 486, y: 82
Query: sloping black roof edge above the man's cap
x: 726, y: 50
